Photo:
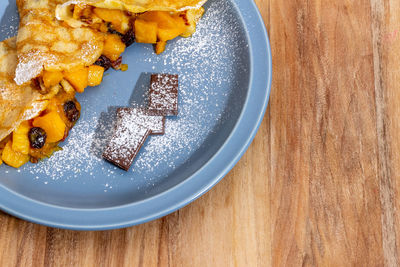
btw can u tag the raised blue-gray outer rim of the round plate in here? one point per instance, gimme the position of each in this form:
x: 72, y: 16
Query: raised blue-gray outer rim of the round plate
x: 188, y: 190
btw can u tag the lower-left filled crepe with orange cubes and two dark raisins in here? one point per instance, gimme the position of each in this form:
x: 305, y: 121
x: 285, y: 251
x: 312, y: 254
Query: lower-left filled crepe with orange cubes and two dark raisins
x: 32, y: 123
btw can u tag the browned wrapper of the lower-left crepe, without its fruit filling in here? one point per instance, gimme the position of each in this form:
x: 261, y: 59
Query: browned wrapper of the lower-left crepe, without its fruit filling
x: 17, y: 103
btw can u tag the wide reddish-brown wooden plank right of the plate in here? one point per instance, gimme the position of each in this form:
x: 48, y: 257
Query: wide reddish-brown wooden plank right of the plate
x: 325, y: 177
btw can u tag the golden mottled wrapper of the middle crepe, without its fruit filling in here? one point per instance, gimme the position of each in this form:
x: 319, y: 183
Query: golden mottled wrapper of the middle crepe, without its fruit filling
x: 44, y: 43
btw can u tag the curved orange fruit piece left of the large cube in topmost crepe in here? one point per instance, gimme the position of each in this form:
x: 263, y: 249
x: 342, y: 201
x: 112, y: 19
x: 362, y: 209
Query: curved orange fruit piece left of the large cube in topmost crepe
x: 118, y: 19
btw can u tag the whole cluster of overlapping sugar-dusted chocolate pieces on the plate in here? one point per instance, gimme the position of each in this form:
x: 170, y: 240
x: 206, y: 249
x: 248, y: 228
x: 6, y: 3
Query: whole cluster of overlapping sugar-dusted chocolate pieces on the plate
x: 135, y: 125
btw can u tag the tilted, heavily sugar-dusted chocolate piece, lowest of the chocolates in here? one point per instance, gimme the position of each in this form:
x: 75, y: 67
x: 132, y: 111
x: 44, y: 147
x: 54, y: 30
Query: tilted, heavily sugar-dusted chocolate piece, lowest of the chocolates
x: 126, y: 142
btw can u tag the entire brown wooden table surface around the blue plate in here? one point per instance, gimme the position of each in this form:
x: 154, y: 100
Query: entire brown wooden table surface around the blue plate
x: 319, y: 184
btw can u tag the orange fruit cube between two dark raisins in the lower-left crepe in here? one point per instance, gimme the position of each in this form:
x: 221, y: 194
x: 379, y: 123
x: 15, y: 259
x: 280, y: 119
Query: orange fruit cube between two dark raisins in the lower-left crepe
x: 53, y: 125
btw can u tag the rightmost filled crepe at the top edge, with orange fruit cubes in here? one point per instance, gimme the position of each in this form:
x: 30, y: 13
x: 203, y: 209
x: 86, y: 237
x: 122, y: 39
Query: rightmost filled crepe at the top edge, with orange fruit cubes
x: 145, y: 21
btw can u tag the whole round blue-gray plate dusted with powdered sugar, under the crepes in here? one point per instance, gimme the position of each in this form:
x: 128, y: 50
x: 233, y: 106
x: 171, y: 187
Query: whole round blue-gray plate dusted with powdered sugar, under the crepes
x: 225, y: 77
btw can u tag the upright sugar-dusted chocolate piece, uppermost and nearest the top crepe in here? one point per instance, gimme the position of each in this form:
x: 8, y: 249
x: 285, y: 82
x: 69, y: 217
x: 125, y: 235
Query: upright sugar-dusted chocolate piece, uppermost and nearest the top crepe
x: 163, y: 95
